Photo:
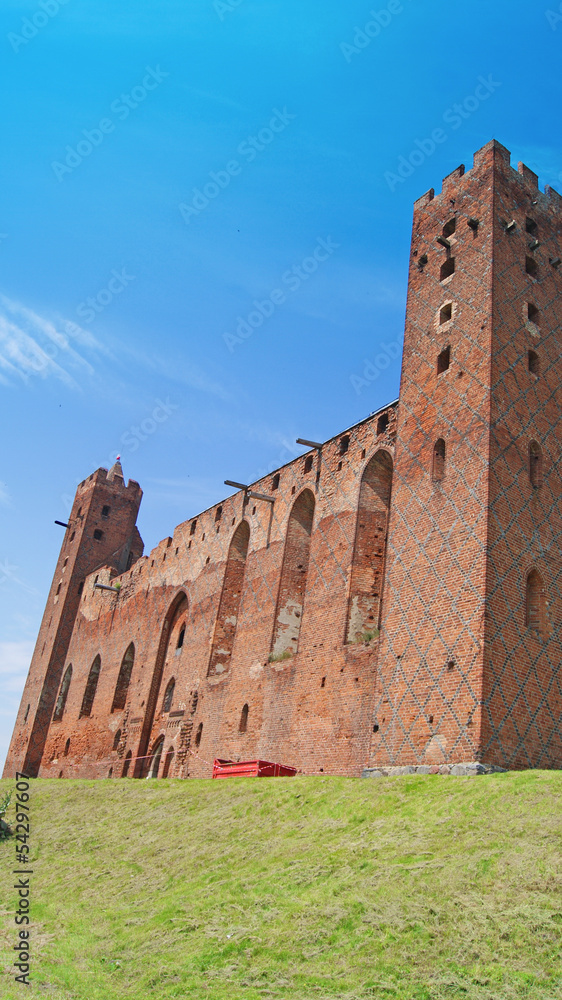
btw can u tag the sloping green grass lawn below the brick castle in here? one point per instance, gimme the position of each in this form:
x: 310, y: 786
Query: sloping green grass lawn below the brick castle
x: 411, y: 888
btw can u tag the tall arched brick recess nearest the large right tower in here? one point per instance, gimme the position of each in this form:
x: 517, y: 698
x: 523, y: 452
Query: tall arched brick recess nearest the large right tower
x: 369, y: 552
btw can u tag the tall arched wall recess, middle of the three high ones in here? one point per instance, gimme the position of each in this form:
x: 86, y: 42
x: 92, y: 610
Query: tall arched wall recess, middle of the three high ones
x: 292, y: 585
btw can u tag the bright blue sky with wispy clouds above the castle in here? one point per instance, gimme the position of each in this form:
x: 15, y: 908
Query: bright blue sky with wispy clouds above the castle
x: 164, y: 167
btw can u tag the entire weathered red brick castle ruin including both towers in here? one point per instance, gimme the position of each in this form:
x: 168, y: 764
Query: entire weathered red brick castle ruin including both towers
x: 396, y: 600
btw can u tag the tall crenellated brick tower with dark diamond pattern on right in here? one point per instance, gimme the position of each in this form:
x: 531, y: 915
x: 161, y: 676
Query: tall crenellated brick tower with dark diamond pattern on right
x: 470, y: 645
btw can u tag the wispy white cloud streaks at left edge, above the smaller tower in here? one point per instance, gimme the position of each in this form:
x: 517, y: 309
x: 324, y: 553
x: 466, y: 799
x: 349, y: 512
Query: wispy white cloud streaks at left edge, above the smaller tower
x: 31, y: 345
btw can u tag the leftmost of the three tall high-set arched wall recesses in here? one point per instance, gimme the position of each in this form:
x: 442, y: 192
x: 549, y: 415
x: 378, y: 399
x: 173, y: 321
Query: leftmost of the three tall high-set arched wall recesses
x: 230, y: 600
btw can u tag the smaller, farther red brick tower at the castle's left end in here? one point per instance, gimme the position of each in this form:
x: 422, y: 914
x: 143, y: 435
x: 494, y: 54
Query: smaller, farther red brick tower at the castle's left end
x: 101, y: 531
